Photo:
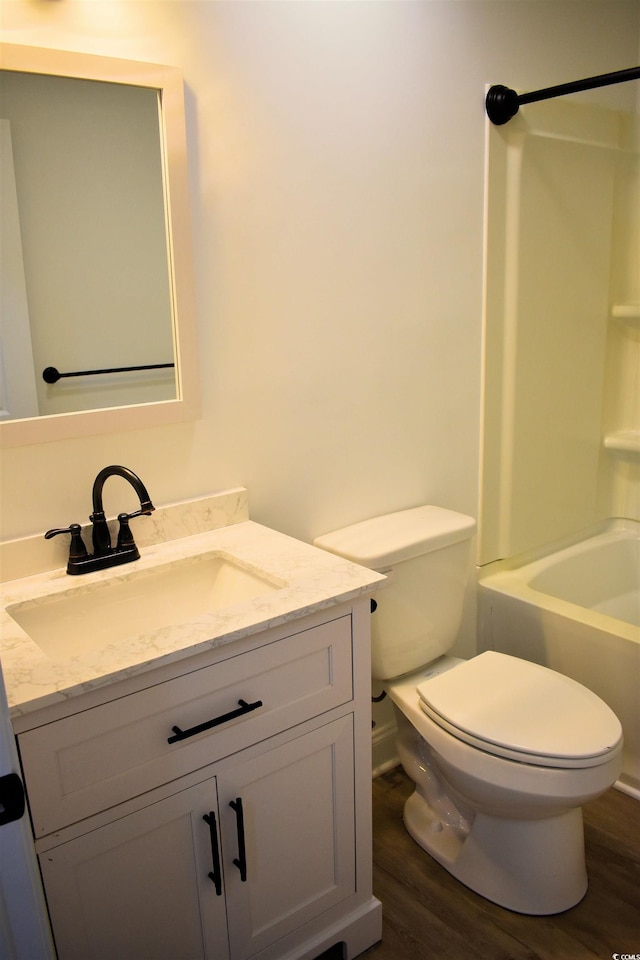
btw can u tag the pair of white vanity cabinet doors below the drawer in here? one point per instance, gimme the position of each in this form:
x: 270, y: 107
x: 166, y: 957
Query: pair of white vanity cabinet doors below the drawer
x: 155, y: 883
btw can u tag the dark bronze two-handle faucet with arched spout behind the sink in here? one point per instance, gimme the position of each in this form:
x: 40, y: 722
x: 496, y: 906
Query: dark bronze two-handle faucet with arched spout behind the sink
x: 104, y: 555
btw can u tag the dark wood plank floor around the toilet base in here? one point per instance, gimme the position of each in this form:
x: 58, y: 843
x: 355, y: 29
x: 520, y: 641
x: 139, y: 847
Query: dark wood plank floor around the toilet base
x: 427, y: 914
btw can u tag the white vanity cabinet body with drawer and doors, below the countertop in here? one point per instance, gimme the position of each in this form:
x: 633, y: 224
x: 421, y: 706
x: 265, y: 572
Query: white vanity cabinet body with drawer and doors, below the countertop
x: 219, y: 811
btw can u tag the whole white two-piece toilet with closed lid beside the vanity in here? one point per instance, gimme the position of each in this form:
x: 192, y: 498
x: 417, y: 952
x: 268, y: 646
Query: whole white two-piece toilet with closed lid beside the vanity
x: 503, y: 752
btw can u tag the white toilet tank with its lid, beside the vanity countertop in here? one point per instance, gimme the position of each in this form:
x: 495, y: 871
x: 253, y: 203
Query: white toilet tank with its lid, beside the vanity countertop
x: 425, y: 554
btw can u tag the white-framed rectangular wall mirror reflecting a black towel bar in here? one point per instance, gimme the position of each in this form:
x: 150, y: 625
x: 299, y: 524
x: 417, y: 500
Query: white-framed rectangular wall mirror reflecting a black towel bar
x: 97, y: 325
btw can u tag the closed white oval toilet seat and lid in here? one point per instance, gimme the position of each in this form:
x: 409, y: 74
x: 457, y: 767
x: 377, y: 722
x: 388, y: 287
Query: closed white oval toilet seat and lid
x: 522, y: 711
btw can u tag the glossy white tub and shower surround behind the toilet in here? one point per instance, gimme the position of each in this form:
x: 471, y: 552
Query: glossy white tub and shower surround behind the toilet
x: 560, y: 475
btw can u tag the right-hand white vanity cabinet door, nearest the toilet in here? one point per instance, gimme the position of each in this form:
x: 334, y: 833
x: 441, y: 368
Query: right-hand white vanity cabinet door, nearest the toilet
x: 288, y: 836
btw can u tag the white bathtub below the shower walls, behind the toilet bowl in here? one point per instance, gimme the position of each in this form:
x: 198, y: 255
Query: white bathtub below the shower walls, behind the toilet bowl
x: 576, y: 610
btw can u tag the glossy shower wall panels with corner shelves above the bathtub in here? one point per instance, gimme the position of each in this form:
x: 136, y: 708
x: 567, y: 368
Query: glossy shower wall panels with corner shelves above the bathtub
x: 559, y: 349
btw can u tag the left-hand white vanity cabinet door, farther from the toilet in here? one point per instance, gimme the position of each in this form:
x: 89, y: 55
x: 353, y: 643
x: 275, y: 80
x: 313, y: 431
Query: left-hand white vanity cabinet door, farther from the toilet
x: 139, y: 887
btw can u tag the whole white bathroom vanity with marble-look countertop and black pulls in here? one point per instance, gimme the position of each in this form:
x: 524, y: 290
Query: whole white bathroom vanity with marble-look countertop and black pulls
x: 204, y: 789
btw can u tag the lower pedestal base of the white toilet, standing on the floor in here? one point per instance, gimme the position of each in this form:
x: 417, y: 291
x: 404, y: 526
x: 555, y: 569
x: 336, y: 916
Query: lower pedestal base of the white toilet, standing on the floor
x: 535, y: 867
